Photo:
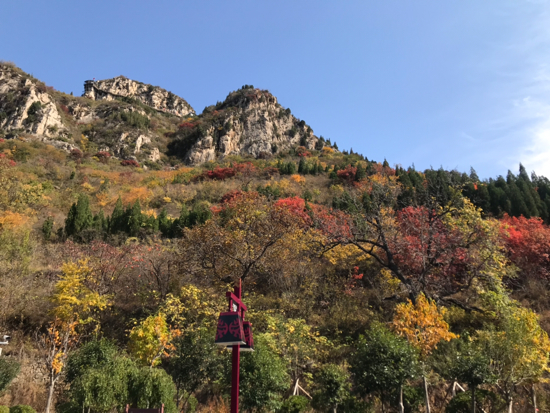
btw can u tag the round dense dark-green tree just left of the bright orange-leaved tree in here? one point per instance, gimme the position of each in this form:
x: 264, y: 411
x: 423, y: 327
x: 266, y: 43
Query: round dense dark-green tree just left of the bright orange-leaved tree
x: 382, y: 363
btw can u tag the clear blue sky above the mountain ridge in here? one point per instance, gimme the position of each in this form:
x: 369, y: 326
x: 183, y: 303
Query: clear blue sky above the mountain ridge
x: 435, y: 83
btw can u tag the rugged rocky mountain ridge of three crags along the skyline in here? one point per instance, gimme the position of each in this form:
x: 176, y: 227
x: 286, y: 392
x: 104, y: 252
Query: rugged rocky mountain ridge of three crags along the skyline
x: 133, y: 120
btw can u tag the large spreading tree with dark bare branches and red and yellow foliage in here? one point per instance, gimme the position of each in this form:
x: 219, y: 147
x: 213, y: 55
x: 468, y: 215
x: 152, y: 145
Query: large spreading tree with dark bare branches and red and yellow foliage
x: 437, y: 250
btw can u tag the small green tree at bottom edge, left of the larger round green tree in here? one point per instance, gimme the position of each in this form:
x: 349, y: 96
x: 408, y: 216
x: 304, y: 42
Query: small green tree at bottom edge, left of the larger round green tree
x: 334, y: 387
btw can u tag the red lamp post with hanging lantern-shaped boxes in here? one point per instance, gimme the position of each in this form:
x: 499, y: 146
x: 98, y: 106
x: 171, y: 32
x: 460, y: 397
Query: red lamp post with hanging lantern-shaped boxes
x: 233, y: 332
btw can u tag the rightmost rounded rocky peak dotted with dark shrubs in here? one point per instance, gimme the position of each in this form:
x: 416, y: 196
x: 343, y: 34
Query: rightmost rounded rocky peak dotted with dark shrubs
x: 249, y: 122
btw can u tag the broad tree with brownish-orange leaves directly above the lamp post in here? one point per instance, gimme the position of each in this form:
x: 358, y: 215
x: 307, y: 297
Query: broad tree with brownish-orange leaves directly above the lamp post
x: 247, y: 237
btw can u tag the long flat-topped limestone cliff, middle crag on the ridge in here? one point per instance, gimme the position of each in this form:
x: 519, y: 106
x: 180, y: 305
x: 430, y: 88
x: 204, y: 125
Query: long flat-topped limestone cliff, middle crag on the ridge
x: 152, y: 96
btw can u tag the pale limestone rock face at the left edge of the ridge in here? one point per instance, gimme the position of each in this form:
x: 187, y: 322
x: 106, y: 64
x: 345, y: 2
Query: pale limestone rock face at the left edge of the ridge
x: 25, y: 105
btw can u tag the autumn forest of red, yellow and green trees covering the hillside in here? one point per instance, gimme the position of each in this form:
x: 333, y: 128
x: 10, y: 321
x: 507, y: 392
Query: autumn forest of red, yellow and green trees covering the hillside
x: 370, y: 287
